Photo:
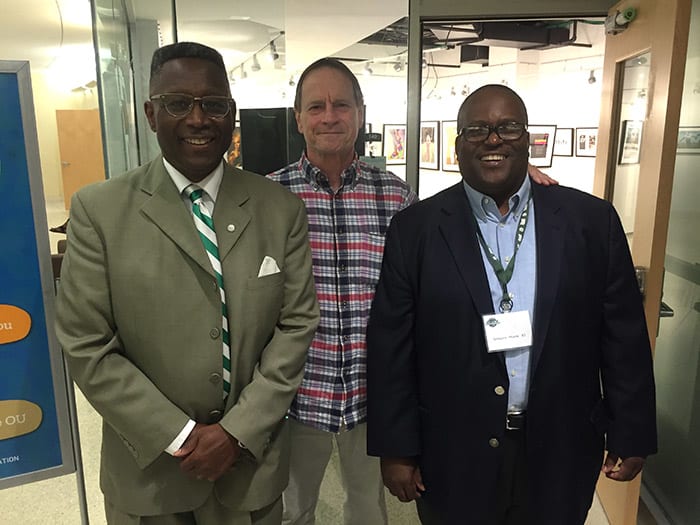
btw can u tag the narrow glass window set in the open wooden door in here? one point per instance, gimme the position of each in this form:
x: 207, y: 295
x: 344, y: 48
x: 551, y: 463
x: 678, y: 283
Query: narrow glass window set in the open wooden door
x: 633, y: 108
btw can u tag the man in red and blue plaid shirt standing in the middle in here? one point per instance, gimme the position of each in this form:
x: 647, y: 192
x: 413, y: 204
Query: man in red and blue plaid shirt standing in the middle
x: 349, y: 205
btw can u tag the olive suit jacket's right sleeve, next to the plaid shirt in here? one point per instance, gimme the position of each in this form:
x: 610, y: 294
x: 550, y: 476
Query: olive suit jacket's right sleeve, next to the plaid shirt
x: 264, y: 402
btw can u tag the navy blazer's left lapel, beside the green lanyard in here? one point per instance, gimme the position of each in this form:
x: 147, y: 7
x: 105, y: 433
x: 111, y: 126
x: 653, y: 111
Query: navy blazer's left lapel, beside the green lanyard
x: 459, y: 231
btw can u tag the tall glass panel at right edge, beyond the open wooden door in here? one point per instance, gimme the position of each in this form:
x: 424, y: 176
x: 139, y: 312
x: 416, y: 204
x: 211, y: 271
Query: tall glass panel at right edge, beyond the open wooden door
x: 672, y: 477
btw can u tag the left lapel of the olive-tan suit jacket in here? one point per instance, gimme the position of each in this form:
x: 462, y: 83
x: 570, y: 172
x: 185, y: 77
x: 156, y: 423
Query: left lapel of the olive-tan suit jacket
x: 167, y: 210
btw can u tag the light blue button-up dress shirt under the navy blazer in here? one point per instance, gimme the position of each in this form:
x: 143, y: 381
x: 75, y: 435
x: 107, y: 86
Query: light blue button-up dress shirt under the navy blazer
x: 499, y: 233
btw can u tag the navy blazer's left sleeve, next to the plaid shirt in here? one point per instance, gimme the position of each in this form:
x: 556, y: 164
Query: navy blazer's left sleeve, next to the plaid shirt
x: 392, y: 406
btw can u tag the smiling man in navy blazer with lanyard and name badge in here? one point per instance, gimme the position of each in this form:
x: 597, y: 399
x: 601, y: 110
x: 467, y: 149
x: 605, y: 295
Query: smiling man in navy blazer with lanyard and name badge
x: 496, y: 382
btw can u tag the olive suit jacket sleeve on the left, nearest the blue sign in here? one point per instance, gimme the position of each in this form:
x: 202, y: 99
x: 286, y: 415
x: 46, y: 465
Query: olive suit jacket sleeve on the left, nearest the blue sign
x: 123, y: 395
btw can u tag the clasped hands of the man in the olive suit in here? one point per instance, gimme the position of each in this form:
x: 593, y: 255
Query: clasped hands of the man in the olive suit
x: 208, y: 452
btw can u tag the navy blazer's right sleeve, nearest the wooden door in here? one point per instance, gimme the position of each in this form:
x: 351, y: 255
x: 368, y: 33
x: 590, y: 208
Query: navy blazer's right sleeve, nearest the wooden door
x: 626, y: 370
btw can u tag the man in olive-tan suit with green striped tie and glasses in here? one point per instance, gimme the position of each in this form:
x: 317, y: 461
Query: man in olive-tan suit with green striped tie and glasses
x: 140, y: 315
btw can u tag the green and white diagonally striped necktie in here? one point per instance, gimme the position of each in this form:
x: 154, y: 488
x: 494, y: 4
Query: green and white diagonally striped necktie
x: 205, y: 226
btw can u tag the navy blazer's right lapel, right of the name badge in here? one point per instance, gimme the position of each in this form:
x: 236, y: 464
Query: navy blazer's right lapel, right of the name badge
x: 550, y: 229
